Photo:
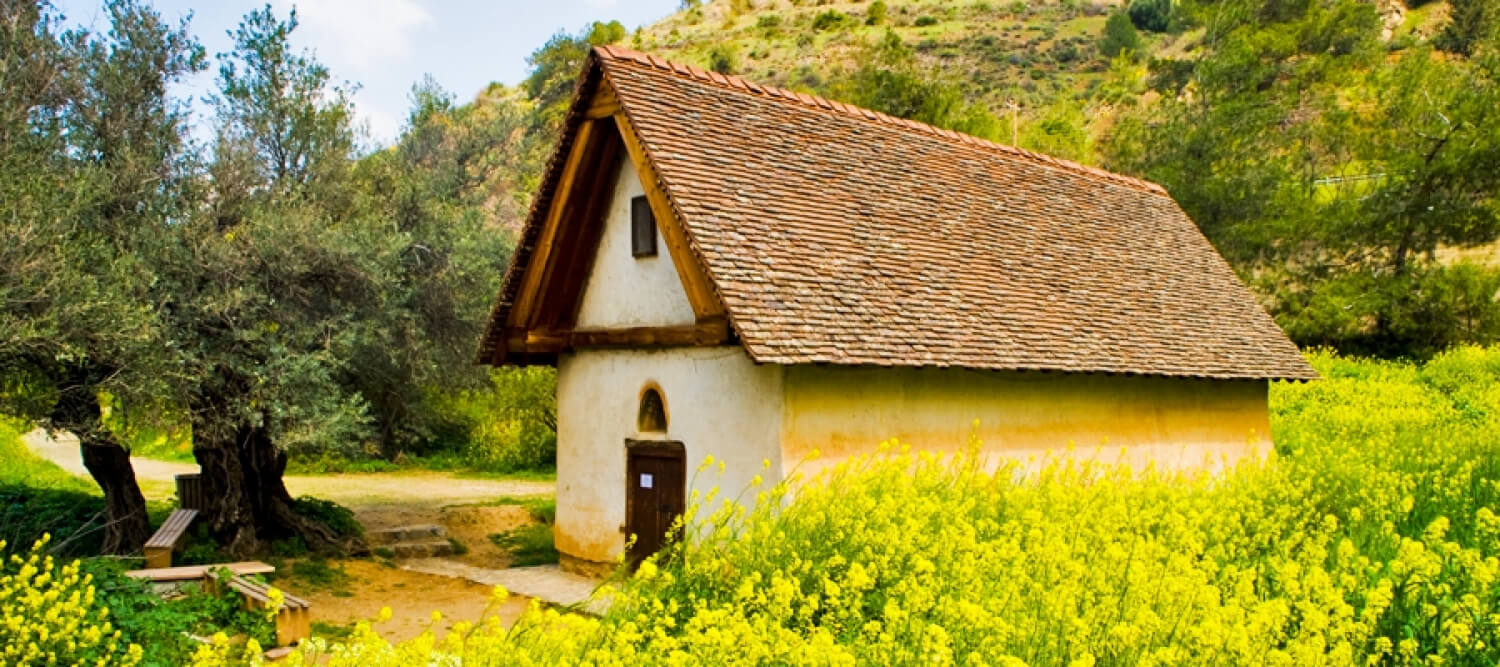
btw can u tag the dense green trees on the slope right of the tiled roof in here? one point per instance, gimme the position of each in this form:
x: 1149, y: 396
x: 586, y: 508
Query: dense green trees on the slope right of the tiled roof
x: 1333, y: 175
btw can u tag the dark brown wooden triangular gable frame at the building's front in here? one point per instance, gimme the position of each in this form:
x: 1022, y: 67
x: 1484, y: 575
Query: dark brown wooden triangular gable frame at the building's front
x: 545, y: 289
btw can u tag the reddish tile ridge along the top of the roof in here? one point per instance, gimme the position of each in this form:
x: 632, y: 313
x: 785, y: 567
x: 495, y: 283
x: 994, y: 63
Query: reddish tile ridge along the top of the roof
x: 859, y: 113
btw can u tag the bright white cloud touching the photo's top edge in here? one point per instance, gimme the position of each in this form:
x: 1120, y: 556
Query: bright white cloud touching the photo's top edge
x: 358, y: 34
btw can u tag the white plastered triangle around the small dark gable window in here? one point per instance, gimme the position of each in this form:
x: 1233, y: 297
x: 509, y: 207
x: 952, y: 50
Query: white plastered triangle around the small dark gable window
x: 626, y: 292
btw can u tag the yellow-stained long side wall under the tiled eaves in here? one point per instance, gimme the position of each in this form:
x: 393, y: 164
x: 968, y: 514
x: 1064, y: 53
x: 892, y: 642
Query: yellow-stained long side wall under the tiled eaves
x: 1025, y: 416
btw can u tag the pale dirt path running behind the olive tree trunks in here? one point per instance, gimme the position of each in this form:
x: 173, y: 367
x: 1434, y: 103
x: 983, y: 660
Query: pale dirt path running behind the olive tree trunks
x: 409, y: 489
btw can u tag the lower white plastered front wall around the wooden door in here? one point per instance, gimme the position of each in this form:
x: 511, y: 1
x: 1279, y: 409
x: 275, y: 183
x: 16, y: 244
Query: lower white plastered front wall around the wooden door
x: 718, y: 402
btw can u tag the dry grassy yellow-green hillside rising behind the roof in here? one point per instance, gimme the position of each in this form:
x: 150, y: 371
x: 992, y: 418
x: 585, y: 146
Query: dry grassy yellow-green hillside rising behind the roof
x: 1043, y: 56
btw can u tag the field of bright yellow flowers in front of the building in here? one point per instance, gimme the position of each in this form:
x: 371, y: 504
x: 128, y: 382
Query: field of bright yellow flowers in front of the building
x: 1370, y: 539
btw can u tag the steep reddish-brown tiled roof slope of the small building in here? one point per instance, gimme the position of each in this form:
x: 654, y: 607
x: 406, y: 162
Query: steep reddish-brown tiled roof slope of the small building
x: 842, y: 236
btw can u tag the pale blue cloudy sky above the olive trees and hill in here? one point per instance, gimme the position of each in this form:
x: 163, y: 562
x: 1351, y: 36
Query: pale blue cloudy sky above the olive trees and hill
x: 388, y: 46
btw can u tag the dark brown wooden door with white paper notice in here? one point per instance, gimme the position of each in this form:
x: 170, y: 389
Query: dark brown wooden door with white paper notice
x: 655, y: 495
